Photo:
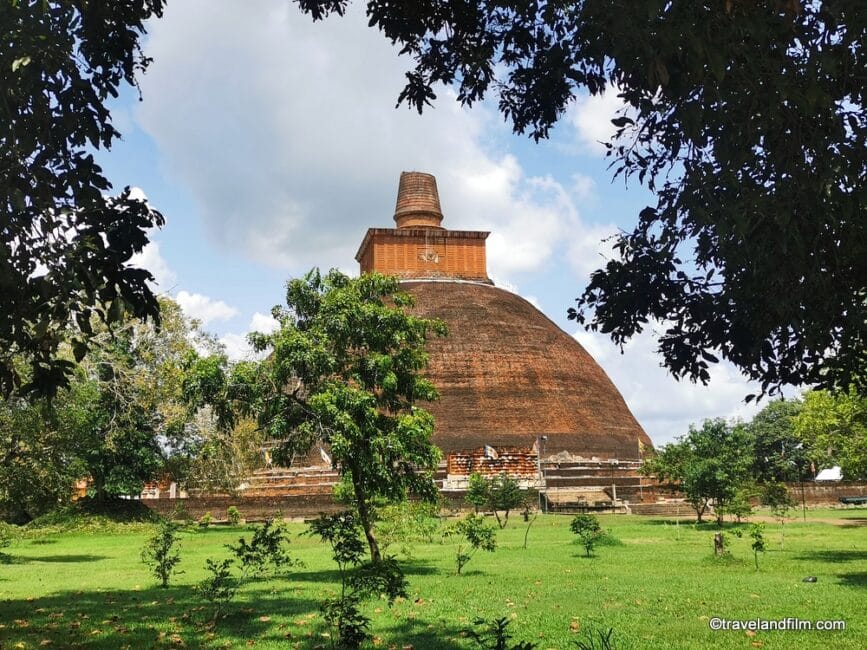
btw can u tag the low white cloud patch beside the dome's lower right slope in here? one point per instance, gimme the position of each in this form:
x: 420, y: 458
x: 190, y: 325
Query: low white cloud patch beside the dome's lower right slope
x: 664, y: 406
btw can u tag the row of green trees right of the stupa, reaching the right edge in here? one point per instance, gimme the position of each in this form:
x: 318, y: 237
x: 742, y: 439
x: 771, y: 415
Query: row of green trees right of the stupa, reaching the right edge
x: 726, y: 465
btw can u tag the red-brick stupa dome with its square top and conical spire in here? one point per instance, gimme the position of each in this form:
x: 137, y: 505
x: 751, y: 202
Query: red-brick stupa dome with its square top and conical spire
x: 512, y: 384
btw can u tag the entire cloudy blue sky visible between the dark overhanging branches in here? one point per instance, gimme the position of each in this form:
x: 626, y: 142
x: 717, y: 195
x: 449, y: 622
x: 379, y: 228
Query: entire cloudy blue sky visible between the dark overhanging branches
x: 271, y: 144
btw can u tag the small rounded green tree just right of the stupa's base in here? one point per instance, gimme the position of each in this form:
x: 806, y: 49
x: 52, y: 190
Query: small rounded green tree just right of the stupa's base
x: 708, y: 465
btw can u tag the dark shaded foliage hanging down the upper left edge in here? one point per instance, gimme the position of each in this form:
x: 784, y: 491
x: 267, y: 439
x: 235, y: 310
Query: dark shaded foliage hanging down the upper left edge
x: 65, y: 244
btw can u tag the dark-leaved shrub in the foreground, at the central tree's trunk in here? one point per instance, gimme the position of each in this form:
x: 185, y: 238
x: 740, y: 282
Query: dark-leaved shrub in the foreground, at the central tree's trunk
x: 342, y: 532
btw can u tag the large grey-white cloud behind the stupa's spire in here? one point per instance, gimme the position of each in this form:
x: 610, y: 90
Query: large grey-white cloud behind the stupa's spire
x: 286, y: 134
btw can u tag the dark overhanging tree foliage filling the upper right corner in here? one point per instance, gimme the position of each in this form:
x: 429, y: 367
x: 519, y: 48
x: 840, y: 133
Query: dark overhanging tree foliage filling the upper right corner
x: 747, y: 120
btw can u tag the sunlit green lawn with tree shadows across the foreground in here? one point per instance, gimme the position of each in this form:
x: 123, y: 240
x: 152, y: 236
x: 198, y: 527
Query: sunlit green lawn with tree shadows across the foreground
x: 658, y: 588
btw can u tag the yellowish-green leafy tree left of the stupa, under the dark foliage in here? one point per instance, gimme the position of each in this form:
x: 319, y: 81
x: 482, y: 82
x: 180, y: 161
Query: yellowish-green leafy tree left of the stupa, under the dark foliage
x: 124, y: 412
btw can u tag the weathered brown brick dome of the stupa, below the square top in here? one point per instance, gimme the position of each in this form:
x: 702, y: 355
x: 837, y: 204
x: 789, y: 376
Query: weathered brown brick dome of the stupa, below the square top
x: 507, y: 374
